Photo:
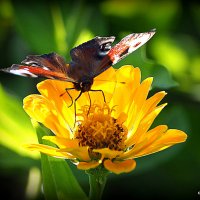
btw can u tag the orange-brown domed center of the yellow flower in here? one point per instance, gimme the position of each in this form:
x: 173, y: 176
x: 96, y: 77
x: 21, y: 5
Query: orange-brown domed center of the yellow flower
x: 98, y: 129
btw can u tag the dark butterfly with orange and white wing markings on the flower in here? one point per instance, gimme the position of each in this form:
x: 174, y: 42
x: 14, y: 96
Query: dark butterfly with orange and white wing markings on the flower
x: 88, y: 60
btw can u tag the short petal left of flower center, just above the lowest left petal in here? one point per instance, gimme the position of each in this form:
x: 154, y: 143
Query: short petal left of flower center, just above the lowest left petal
x: 62, y: 142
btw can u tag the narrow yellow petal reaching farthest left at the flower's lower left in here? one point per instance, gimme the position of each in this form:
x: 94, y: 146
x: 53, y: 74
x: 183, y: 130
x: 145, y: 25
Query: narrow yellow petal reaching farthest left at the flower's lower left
x: 51, y: 151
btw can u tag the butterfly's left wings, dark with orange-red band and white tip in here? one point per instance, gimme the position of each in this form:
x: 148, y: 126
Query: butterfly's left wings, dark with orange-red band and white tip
x: 47, y: 65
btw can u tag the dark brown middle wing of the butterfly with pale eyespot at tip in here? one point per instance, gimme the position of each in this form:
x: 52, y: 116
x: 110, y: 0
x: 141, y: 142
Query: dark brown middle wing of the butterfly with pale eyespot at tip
x: 87, y: 57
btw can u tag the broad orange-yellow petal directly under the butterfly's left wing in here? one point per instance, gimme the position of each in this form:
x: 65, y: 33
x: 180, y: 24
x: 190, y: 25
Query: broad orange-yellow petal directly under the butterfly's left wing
x: 63, y: 102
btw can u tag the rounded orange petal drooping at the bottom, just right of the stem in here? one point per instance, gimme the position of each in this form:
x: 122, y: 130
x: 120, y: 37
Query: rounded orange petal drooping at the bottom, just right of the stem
x: 118, y: 167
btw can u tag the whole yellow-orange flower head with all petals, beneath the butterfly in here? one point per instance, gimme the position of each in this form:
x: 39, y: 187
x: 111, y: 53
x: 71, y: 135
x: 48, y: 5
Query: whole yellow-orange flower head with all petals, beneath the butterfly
x: 111, y: 133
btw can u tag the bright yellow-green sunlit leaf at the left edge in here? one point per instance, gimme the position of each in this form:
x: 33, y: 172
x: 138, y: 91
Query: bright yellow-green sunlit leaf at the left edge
x: 15, y: 126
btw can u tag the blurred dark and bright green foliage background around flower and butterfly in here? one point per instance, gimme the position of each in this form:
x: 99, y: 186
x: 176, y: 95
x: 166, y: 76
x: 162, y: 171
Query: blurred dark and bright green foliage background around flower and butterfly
x: 172, y: 57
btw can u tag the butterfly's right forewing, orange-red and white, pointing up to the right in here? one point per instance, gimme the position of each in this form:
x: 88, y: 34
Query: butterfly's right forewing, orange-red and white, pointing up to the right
x: 126, y: 46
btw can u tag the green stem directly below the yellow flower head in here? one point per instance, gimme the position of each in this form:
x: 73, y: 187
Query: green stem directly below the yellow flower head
x: 97, y: 180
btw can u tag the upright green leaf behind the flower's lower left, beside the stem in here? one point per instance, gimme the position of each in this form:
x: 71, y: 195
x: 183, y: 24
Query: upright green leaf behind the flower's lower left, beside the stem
x: 58, y: 180
